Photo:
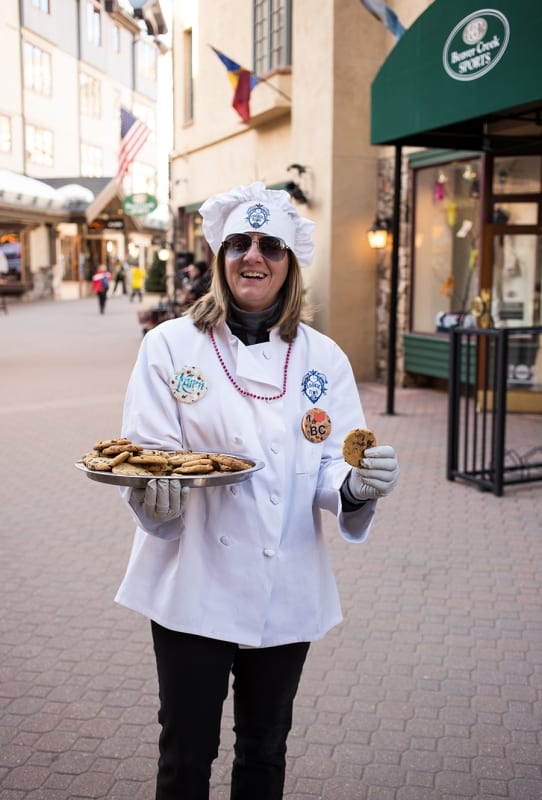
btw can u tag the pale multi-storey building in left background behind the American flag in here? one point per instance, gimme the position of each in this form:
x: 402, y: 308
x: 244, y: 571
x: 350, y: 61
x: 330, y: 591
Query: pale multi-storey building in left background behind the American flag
x: 68, y: 70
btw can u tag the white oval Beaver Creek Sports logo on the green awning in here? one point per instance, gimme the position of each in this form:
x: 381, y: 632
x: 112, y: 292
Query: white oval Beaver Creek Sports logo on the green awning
x: 476, y: 45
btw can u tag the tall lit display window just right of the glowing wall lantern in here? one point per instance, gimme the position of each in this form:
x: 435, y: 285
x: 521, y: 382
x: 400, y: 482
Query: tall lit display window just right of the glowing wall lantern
x: 446, y: 244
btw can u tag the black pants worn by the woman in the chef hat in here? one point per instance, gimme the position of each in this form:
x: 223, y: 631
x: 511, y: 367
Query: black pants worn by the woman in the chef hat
x: 193, y: 678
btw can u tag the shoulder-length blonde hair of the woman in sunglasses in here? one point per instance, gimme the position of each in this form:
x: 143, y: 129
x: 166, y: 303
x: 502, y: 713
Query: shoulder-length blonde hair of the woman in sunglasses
x: 211, y: 310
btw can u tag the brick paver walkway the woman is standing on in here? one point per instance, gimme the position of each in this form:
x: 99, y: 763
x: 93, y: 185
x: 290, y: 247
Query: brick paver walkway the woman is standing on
x: 430, y: 690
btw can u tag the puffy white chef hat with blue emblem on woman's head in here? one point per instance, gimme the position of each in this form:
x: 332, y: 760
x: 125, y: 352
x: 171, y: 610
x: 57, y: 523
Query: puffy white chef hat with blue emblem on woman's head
x: 255, y: 208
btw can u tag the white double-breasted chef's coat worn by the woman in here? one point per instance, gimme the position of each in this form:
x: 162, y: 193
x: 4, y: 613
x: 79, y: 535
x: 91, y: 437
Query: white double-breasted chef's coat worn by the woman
x: 248, y: 562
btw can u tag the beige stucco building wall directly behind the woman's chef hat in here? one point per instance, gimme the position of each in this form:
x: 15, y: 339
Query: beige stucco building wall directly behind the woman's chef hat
x: 309, y: 126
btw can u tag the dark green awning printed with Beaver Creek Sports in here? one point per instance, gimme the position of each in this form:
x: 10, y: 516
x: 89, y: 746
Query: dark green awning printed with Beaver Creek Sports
x: 464, y: 76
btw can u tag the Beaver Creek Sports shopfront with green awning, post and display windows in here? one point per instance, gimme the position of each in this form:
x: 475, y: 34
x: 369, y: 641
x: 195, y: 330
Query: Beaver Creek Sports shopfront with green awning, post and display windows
x: 465, y: 79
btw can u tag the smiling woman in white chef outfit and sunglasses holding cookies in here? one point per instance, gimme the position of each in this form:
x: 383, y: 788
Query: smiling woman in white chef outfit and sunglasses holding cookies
x: 236, y: 579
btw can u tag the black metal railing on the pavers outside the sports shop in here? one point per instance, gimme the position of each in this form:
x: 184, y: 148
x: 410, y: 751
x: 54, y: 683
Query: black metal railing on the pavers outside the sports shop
x: 481, y: 376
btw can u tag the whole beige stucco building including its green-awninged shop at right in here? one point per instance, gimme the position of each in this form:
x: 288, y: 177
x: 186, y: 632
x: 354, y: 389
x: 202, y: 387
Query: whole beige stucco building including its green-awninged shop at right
x: 311, y: 129
